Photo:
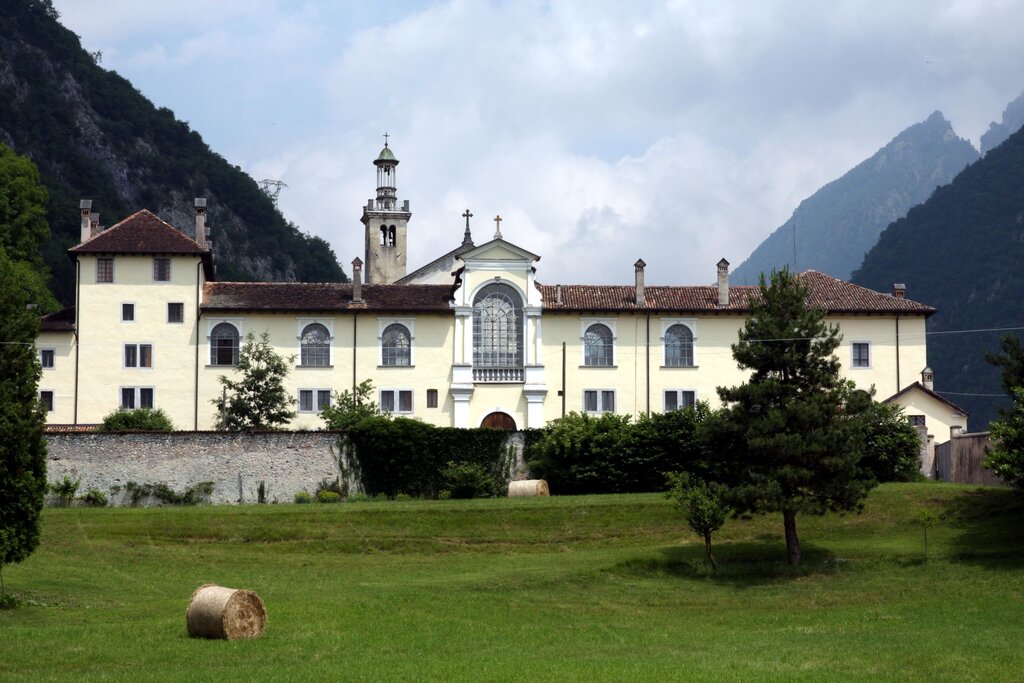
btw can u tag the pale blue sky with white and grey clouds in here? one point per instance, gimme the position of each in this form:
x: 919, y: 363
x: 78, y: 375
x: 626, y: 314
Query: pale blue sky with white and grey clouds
x: 676, y: 132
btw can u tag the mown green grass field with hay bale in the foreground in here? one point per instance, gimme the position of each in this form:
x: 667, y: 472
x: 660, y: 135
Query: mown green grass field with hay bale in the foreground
x: 590, y: 588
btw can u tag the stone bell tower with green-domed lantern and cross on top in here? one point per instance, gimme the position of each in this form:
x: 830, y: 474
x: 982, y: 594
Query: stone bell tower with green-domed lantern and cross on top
x: 387, y: 225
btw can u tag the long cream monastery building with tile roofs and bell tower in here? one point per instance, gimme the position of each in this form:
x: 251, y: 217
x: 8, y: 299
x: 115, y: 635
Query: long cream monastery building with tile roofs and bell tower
x: 471, y: 339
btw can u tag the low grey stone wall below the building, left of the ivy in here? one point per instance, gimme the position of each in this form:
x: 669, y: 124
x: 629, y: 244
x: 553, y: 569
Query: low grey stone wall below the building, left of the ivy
x: 237, y: 463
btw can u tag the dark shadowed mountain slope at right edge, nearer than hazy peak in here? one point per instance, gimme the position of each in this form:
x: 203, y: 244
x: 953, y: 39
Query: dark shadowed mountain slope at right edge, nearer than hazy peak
x: 962, y: 252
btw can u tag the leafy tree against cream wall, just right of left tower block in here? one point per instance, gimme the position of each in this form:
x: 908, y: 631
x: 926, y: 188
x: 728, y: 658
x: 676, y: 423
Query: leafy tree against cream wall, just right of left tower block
x: 259, y: 400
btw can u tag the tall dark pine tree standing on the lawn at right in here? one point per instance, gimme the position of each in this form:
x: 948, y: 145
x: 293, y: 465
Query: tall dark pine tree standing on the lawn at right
x: 790, y: 438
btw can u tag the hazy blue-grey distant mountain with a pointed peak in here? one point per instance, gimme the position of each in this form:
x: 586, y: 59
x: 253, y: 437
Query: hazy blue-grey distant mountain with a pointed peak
x: 840, y: 223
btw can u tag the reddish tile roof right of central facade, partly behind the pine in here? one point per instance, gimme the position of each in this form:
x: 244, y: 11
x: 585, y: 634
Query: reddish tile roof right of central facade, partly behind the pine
x: 826, y: 292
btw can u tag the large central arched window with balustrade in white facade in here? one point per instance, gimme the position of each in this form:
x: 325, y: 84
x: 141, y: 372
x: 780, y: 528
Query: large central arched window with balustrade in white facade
x: 498, y: 331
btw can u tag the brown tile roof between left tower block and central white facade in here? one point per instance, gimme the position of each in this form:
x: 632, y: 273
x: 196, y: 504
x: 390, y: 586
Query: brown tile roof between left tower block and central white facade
x: 325, y: 296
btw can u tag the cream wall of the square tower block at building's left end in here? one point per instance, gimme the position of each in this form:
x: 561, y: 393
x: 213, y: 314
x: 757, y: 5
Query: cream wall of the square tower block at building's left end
x: 103, y: 336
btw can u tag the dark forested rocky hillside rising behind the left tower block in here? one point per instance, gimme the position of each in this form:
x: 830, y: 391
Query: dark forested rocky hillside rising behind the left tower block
x: 94, y: 136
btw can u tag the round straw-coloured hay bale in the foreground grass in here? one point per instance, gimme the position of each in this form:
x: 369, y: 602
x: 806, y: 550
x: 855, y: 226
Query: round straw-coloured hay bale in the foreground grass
x: 216, y: 612
